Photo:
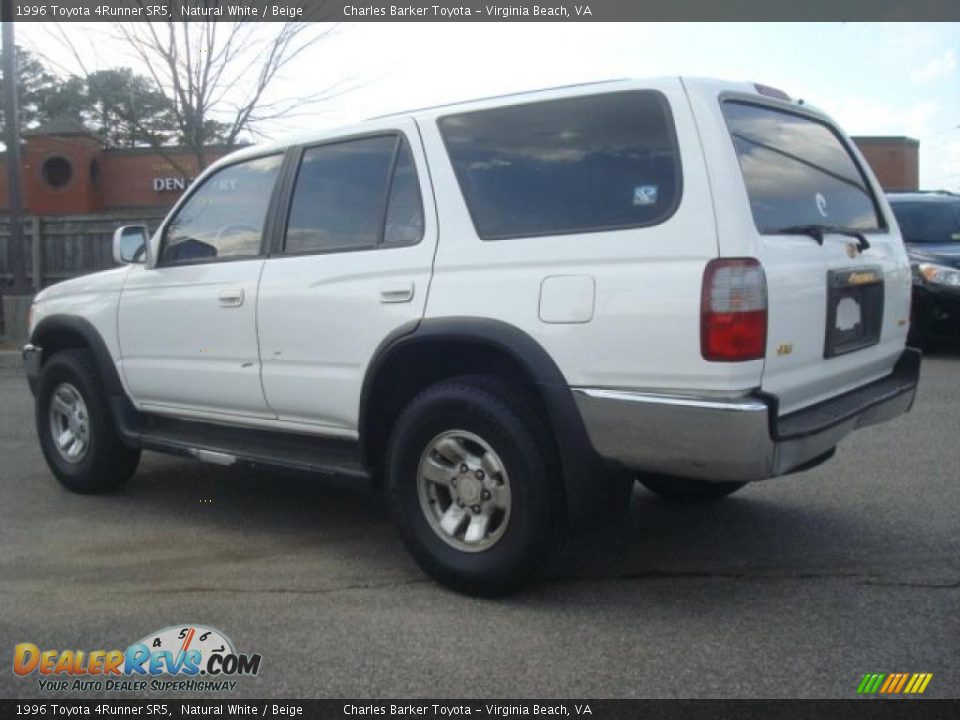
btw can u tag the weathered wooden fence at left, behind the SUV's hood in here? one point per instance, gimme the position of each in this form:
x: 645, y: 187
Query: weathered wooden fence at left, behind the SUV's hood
x: 65, y: 246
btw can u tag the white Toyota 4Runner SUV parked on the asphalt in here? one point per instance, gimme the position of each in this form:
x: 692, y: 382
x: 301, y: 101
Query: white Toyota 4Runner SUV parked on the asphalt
x: 503, y: 311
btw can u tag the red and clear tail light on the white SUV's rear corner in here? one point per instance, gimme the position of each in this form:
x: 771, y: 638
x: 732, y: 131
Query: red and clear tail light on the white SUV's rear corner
x: 733, y: 310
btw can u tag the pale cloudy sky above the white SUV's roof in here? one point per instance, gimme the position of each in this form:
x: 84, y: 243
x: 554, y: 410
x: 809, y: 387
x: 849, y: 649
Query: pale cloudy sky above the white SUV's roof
x: 874, y: 79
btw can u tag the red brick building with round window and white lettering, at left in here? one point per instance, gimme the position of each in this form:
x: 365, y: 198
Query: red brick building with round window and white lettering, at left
x: 67, y: 171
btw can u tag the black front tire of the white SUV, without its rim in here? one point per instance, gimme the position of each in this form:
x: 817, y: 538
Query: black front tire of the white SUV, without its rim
x: 106, y: 463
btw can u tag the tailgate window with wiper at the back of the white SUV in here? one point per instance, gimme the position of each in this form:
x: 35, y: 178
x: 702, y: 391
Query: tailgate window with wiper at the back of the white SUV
x: 798, y: 171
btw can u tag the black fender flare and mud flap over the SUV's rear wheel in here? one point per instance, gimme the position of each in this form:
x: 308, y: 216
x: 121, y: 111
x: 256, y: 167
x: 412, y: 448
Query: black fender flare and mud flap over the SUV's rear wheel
x: 594, y: 490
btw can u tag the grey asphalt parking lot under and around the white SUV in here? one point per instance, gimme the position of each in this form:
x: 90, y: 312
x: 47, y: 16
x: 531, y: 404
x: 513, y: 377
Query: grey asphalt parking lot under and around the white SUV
x: 792, y: 588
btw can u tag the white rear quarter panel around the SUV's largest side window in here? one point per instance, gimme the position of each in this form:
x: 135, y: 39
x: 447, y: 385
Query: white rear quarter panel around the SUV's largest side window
x: 645, y: 331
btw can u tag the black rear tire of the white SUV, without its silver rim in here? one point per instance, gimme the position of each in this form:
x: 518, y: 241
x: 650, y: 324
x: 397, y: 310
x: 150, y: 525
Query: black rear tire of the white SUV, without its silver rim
x: 535, y: 529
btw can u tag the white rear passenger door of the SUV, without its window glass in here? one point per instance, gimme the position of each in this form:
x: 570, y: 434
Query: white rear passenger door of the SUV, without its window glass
x: 322, y: 317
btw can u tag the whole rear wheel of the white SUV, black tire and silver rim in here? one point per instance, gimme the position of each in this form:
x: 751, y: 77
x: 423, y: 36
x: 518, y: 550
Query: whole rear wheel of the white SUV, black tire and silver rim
x: 473, y: 488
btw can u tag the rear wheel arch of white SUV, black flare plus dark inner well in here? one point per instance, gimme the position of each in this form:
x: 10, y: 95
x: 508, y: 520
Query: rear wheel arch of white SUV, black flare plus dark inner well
x: 418, y: 355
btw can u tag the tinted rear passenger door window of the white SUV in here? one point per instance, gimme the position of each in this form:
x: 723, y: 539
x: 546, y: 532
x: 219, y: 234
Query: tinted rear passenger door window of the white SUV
x: 340, y: 198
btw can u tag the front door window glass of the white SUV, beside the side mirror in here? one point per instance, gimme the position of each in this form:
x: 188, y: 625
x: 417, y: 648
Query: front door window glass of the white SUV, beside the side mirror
x: 224, y: 217
